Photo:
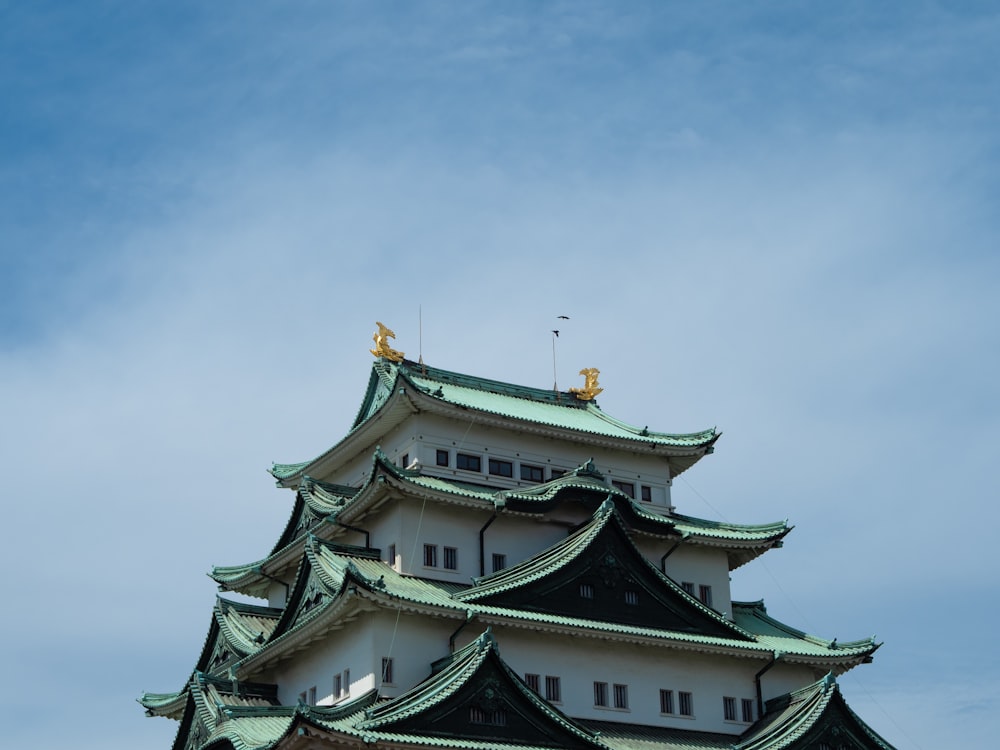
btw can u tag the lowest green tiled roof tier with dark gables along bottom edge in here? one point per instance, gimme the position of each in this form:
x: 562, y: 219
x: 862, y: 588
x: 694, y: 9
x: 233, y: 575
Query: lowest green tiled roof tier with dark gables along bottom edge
x: 434, y: 713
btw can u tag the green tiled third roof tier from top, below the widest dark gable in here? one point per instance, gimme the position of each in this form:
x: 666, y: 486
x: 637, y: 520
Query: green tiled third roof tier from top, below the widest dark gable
x: 323, y: 579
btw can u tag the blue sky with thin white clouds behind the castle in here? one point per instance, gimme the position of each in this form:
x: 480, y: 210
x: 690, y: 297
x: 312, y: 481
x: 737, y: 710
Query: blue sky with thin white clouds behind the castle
x: 775, y: 219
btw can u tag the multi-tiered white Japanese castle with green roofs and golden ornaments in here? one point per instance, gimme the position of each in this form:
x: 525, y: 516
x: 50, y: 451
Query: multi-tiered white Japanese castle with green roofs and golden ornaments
x: 478, y: 564
